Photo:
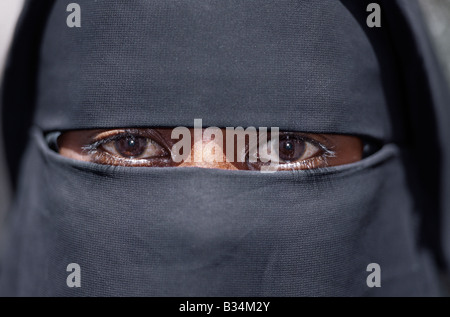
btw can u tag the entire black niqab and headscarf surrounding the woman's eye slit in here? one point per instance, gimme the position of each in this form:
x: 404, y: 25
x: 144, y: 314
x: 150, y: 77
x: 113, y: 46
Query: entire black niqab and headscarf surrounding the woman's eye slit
x: 311, y: 66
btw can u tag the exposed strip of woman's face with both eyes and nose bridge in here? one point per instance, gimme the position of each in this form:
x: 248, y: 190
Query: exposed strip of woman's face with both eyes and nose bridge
x: 145, y: 147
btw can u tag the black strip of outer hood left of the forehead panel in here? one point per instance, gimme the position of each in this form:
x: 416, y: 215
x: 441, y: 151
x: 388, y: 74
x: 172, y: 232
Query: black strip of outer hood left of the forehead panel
x: 19, y: 87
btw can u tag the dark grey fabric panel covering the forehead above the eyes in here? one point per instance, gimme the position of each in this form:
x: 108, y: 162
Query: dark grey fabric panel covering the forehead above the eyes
x: 295, y: 65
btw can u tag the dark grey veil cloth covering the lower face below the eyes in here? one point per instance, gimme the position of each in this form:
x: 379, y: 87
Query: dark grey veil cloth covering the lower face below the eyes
x: 193, y: 231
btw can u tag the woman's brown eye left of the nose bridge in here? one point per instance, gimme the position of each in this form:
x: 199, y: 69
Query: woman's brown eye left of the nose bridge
x: 133, y: 147
